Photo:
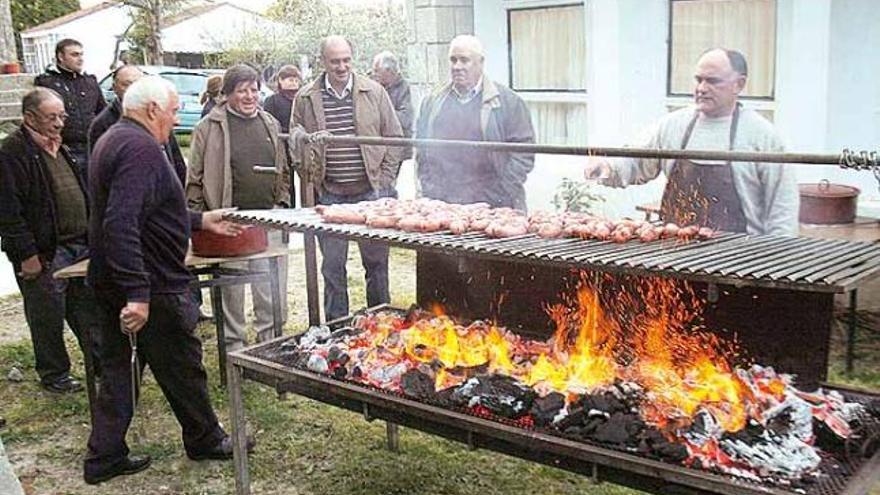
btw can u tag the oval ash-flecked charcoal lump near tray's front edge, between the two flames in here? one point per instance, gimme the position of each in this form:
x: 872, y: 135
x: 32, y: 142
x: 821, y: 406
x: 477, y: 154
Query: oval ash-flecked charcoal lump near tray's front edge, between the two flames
x: 501, y: 394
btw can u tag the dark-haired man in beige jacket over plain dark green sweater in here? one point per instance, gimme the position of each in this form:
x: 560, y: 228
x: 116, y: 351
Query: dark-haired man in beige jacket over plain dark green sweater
x: 226, y: 145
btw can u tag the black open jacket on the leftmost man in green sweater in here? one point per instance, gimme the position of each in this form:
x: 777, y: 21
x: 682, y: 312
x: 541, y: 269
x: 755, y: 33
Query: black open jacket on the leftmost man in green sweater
x: 27, y: 200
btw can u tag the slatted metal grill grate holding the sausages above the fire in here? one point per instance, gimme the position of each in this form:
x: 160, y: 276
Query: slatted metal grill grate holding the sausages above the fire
x: 797, y: 263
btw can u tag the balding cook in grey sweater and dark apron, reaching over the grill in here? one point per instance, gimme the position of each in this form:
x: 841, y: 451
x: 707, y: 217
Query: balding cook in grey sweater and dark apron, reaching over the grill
x: 753, y: 197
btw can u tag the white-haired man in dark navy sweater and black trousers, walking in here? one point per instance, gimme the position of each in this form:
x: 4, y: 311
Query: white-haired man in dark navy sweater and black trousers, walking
x: 139, y: 233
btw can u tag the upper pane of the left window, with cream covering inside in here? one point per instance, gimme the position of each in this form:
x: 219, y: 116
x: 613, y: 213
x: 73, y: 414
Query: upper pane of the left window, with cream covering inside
x: 548, y: 49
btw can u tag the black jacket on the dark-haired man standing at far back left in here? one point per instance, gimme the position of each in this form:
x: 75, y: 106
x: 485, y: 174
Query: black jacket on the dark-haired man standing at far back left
x: 83, y: 100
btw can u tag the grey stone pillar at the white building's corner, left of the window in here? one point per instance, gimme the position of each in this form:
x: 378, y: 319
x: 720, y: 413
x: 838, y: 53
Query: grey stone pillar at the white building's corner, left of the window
x: 431, y: 25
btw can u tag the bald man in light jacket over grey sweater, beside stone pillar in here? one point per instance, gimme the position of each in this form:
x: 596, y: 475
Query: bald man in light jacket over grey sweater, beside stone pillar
x: 471, y: 107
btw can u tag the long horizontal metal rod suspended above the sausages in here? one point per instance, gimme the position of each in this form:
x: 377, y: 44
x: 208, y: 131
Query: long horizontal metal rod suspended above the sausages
x: 859, y: 160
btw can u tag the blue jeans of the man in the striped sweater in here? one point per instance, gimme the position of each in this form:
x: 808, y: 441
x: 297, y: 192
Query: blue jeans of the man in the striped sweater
x: 334, y: 250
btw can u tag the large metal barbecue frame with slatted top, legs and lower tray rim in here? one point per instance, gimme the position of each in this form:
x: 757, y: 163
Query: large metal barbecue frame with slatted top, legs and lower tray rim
x: 807, y: 271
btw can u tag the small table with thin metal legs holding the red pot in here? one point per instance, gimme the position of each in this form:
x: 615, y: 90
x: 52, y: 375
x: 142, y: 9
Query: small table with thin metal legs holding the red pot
x: 219, y: 277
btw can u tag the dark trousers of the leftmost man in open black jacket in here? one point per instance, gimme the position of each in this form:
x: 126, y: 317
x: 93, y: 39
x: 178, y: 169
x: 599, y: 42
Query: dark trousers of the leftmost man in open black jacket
x: 48, y: 302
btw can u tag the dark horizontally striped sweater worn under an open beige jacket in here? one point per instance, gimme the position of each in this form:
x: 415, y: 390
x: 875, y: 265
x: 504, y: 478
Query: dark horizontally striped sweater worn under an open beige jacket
x: 345, y: 169
